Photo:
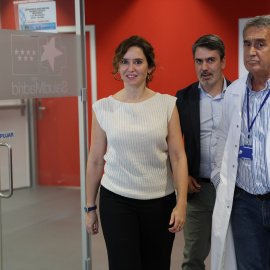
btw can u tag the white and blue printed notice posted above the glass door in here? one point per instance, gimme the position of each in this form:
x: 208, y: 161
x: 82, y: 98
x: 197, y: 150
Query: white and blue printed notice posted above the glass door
x: 35, y: 15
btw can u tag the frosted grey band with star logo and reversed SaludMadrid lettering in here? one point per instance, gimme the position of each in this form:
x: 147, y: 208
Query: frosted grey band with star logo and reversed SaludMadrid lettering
x: 39, y: 64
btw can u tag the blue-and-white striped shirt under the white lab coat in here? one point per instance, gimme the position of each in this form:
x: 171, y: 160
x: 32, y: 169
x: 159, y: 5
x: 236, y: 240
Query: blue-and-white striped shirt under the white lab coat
x: 252, y: 176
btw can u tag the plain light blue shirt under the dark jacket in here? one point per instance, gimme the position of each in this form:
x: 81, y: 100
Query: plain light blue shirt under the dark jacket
x: 210, y: 115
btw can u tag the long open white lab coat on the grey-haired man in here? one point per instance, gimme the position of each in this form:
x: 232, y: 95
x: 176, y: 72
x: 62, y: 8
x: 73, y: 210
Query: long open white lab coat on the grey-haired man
x: 222, y: 246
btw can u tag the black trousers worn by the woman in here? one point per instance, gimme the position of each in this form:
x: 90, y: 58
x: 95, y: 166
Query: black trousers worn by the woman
x: 136, y: 231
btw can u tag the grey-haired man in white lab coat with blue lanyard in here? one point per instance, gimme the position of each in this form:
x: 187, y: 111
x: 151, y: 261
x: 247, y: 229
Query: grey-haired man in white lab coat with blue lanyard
x: 241, y: 218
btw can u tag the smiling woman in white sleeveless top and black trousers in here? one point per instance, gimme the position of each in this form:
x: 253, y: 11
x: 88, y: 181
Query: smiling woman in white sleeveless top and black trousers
x: 135, y: 136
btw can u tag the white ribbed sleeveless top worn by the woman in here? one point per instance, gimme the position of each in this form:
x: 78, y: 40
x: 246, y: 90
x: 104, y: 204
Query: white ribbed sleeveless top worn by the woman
x: 137, y: 164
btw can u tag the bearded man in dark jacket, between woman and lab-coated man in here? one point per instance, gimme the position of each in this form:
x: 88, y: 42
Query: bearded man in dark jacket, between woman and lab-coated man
x: 200, y: 106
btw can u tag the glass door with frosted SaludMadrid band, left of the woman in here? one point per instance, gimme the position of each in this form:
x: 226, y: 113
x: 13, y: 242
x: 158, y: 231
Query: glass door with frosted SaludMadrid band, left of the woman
x: 41, y: 224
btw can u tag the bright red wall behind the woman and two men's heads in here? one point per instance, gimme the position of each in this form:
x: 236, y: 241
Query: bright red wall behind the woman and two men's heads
x: 171, y: 26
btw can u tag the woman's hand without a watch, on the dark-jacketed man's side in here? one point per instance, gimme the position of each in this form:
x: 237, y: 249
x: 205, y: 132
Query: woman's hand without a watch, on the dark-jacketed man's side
x: 178, y: 218
